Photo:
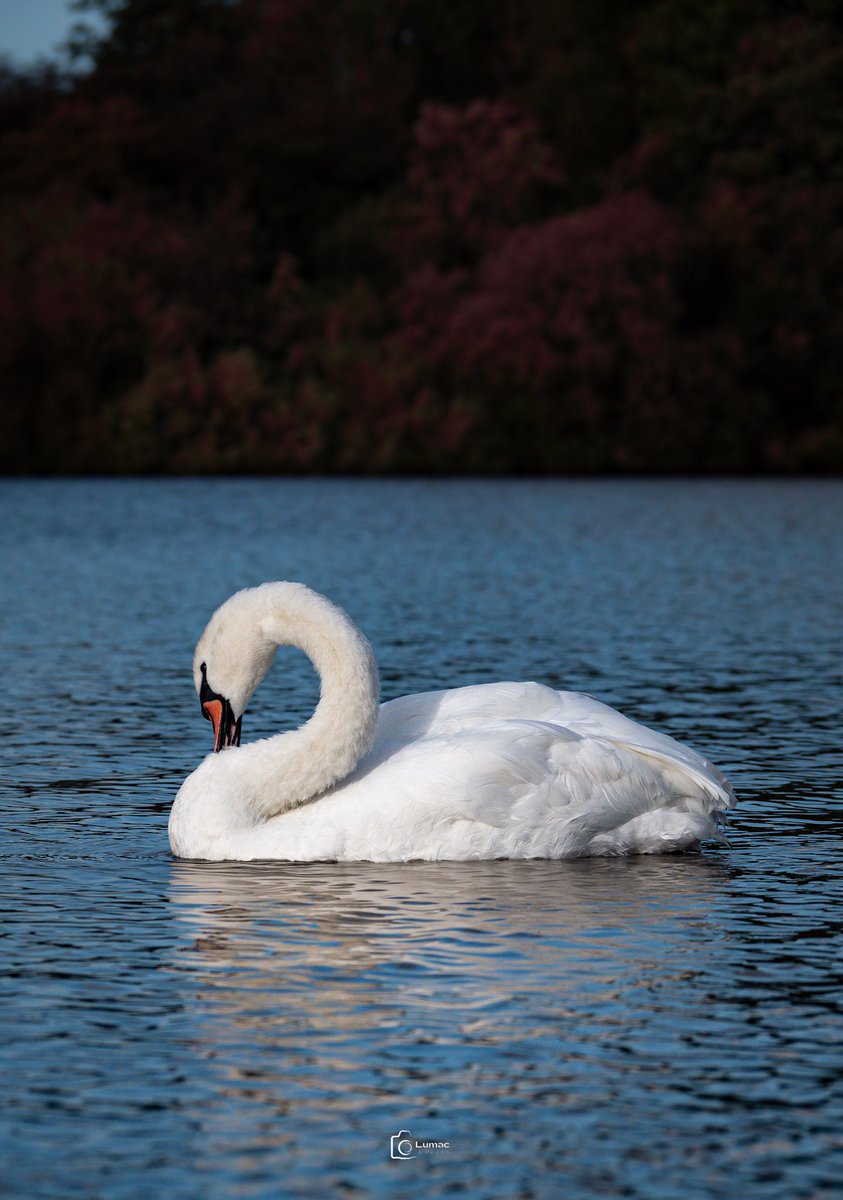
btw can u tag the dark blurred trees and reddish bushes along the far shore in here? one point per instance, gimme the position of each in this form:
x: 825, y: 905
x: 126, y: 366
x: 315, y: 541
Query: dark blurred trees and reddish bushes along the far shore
x: 410, y: 236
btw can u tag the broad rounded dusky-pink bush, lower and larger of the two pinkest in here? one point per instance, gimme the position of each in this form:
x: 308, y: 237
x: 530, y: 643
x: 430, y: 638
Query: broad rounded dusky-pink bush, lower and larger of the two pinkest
x: 573, y: 299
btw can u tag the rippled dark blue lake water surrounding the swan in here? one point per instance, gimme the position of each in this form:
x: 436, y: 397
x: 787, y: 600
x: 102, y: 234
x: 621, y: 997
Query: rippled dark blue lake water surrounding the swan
x: 647, y: 1028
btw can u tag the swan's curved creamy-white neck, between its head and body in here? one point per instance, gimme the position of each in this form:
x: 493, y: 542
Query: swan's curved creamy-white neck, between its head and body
x: 291, y: 769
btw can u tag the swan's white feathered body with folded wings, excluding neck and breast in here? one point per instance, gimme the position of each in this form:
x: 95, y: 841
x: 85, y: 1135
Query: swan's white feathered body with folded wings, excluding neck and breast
x: 509, y: 771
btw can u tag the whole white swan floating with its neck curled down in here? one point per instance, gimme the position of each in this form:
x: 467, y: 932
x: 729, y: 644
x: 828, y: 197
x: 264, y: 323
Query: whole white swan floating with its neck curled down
x: 491, y: 771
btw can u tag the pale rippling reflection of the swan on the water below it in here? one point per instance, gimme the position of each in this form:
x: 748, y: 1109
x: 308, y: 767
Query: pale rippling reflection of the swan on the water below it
x: 307, y: 971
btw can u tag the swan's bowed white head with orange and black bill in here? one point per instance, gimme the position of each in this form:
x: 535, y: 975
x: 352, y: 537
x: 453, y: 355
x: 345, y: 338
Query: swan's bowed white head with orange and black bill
x: 231, y: 659
